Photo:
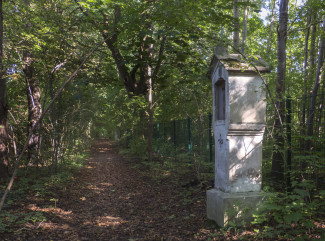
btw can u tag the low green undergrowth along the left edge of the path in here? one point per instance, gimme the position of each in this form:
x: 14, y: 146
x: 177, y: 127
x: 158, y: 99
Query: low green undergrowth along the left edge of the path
x: 34, y: 183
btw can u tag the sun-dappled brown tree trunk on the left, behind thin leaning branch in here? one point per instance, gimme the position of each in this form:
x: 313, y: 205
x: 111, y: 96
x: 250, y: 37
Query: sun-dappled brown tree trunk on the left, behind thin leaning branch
x: 34, y: 103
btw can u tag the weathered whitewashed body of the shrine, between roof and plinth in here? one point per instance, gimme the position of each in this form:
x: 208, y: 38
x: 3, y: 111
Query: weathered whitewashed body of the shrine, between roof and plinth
x: 239, y: 134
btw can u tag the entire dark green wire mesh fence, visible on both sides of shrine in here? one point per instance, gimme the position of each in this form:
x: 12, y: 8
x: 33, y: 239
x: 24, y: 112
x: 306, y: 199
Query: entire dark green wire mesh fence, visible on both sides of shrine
x: 303, y: 132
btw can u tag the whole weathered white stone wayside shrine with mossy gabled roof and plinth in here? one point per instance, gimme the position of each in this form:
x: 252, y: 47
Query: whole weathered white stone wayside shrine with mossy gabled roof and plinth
x: 238, y: 123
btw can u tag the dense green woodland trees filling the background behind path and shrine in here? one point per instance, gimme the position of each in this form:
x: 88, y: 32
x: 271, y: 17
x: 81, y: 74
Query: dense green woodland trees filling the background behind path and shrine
x: 129, y: 65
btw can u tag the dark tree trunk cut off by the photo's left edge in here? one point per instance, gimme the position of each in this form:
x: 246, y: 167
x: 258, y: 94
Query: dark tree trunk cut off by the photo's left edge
x: 3, y: 109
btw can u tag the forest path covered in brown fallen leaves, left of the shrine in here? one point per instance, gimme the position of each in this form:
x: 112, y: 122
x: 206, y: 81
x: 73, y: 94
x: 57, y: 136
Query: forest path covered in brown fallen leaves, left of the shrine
x: 110, y: 200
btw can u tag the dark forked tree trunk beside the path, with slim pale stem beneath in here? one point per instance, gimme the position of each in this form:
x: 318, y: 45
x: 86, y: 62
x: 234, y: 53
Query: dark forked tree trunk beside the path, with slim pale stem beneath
x: 144, y: 84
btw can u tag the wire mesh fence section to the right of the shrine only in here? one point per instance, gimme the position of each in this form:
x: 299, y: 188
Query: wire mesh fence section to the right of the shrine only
x: 303, y: 132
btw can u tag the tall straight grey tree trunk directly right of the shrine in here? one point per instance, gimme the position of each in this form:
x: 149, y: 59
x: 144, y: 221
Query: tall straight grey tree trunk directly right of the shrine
x: 278, y: 159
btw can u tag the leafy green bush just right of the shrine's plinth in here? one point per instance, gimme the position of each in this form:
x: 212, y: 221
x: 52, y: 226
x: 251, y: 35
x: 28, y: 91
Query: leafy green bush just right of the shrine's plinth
x: 288, y: 215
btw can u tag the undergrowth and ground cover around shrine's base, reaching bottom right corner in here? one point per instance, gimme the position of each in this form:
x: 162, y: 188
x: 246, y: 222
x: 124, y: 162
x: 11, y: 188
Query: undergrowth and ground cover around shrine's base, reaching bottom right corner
x: 296, y: 215
